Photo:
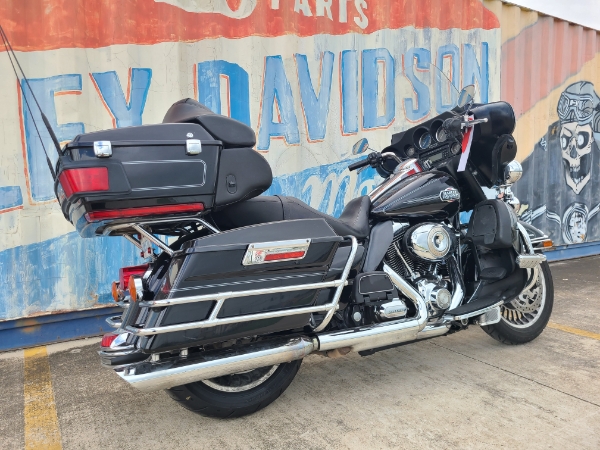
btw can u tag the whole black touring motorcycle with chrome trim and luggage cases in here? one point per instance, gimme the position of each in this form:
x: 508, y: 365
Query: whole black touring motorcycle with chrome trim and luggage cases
x: 238, y: 288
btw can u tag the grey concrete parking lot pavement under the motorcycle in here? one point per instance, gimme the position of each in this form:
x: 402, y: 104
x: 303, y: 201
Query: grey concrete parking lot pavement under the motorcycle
x: 460, y: 391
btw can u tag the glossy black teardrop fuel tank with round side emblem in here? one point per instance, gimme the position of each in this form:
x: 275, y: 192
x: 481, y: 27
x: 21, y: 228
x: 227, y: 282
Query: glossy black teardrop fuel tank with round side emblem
x: 427, y: 195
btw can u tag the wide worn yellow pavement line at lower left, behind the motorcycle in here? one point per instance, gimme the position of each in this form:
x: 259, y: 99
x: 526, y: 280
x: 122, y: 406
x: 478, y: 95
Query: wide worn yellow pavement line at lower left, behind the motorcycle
x: 41, y: 421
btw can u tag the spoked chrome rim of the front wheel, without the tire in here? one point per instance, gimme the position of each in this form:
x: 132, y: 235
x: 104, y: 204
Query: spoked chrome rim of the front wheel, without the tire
x: 527, y: 308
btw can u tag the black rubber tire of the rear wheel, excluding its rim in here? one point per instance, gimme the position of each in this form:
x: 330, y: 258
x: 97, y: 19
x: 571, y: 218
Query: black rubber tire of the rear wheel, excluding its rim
x: 202, y: 399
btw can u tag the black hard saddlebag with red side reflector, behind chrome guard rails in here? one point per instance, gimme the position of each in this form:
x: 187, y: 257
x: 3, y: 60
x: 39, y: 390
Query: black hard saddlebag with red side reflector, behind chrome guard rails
x: 232, y: 261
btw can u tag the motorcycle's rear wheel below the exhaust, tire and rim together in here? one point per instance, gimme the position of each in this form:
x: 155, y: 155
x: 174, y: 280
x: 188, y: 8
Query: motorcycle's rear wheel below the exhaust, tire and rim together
x: 237, y: 394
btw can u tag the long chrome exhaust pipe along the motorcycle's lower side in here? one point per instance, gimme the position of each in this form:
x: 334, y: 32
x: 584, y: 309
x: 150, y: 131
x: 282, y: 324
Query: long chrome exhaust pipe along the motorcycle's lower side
x: 151, y: 376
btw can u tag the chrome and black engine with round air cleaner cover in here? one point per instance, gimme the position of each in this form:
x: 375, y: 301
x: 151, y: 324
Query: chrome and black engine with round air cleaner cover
x: 419, y: 254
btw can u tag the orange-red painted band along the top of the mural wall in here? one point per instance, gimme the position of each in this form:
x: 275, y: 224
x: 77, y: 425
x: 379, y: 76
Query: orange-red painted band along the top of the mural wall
x: 52, y: 24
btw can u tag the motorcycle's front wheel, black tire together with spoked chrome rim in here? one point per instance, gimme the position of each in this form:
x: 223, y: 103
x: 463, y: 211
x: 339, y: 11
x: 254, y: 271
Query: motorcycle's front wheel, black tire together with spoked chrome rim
x: 524, y: 319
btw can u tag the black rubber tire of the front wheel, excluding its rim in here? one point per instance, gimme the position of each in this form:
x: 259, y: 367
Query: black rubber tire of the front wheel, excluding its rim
x: 506, y: 333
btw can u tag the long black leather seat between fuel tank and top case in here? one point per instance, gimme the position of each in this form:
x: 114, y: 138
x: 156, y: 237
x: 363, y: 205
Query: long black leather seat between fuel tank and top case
x: 353, y: 221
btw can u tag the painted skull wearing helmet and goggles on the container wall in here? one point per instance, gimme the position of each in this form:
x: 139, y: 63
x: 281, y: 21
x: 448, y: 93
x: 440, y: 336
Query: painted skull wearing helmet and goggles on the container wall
x: 578, y: 113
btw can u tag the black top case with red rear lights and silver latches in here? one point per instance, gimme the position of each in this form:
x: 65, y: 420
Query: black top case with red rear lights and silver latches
x: 151, y: 172
